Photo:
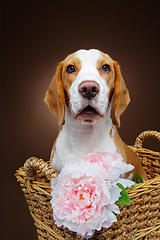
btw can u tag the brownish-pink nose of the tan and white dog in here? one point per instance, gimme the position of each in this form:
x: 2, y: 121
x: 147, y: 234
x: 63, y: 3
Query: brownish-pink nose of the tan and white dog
x: 88, y: 89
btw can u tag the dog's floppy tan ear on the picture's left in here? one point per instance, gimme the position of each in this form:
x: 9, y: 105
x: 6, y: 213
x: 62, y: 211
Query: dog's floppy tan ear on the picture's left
x: 55, y: 97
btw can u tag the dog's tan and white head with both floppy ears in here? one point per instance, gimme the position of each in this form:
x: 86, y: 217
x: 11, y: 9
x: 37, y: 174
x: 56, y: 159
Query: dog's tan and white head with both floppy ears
x: 87, y: 82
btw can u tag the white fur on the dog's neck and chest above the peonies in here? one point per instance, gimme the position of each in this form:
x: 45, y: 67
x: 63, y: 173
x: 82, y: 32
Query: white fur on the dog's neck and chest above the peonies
x: 76, y: 139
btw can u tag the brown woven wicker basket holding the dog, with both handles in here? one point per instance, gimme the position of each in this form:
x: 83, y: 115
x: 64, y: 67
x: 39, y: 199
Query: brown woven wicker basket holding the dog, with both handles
x: 139, y: 220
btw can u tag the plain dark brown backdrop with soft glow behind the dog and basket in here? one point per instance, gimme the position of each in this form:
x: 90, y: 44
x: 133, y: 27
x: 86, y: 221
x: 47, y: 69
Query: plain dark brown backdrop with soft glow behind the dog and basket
x: 36, y: 35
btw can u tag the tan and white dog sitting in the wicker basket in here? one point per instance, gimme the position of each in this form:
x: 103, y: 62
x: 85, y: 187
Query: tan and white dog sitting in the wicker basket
x: 88, y: 96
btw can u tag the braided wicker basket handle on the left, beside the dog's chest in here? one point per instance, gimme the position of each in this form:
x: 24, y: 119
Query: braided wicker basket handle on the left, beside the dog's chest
x: 33, y: 165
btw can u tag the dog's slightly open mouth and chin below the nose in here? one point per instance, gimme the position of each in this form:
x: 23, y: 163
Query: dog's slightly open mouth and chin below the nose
x: 88, y: 115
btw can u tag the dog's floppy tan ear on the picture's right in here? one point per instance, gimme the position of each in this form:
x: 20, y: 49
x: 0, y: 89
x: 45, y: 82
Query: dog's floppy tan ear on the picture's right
x: 121, y: 96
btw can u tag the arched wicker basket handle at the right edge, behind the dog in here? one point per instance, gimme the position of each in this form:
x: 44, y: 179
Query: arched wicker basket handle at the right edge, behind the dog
x: 141, y: 137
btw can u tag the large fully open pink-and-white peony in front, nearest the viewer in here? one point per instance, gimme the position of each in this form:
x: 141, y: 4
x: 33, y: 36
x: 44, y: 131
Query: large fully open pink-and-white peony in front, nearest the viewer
x: 81, y: 201
